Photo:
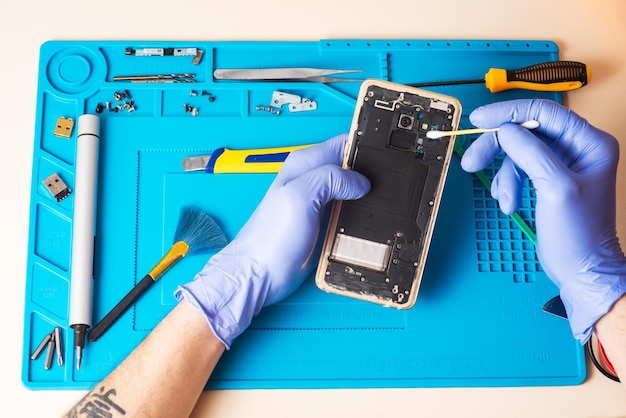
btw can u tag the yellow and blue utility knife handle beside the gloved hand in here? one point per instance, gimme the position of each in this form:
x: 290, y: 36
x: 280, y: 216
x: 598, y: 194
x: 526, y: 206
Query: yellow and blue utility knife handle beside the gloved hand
x: 267, y: 160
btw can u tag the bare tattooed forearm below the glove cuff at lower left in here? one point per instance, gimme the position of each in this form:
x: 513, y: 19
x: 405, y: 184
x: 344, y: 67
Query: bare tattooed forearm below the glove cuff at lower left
x: 182, y: 351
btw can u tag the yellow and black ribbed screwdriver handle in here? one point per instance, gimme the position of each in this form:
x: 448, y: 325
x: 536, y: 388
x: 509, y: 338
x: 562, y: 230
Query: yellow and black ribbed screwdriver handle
x: 548, y: 76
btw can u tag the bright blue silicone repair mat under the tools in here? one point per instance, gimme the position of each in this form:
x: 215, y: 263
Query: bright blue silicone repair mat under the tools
x: 478, y: 318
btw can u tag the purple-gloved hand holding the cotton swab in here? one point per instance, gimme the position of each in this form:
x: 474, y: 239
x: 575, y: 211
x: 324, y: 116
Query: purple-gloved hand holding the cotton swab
x: 572, y: 166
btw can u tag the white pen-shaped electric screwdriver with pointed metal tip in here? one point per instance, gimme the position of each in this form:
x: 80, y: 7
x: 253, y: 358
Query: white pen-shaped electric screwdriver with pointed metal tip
x: 83, y: 230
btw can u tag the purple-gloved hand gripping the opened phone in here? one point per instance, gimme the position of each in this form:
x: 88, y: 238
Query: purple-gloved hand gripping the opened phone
x: 274, y: 251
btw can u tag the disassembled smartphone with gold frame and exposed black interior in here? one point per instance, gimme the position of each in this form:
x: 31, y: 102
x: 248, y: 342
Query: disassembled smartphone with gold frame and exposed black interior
x: 376, y: 247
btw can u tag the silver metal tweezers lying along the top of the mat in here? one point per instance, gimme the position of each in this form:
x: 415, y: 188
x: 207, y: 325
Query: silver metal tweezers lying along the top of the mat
x: 317, y: 75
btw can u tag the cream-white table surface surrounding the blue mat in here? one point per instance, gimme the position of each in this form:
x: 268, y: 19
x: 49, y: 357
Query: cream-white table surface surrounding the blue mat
x: 591, y: 32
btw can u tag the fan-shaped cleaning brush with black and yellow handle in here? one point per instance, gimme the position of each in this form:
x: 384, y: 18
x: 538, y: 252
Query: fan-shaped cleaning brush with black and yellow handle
x: 196, y: 233
